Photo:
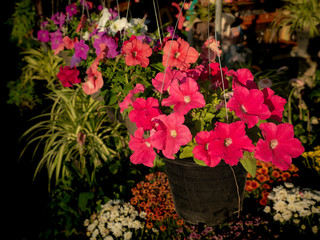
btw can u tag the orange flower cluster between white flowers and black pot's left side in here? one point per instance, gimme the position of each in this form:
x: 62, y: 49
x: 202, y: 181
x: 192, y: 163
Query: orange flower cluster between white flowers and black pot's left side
x: 153, y: 197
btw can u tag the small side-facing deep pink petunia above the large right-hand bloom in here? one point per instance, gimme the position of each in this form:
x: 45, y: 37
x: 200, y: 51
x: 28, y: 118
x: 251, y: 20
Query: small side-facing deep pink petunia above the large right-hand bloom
x: 243, y: 78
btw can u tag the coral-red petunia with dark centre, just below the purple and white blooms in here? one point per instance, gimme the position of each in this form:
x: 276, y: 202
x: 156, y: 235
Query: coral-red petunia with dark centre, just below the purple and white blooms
x: 136, y: 53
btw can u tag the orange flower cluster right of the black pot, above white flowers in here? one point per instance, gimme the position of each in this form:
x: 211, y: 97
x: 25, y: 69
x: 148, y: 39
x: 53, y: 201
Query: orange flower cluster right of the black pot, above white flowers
x: 261, y: 185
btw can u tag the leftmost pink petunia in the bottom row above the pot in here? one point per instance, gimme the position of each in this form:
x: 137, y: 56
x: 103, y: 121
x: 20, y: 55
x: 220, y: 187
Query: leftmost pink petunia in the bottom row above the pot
x: 143, y: 150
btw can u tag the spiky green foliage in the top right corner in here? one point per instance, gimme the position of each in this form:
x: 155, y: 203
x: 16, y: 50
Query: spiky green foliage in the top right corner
x: 299, y: 15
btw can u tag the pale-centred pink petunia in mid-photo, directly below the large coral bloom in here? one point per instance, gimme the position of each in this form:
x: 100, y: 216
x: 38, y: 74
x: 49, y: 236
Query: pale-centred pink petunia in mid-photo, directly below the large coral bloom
x: 184, y: 97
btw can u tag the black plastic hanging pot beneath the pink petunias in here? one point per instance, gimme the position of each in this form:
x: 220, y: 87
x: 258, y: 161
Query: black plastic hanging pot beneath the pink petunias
x: 205, y: 194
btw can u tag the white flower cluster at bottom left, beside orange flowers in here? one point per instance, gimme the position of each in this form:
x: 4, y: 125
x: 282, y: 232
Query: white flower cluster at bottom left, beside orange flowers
x: 116, y: 219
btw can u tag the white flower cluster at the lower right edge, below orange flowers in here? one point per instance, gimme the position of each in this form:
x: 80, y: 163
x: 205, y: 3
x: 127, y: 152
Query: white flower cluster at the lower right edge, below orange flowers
x: 295, y: 206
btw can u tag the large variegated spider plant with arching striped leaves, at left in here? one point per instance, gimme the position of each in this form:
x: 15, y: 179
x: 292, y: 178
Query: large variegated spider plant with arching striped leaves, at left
x: 76, y: 131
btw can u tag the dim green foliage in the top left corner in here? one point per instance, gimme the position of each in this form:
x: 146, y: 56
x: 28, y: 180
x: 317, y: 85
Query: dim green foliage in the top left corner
x: 23, y: 21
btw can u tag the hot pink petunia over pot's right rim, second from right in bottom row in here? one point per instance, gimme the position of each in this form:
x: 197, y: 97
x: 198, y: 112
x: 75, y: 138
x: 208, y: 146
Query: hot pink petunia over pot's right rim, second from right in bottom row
x: 230, y: 140
